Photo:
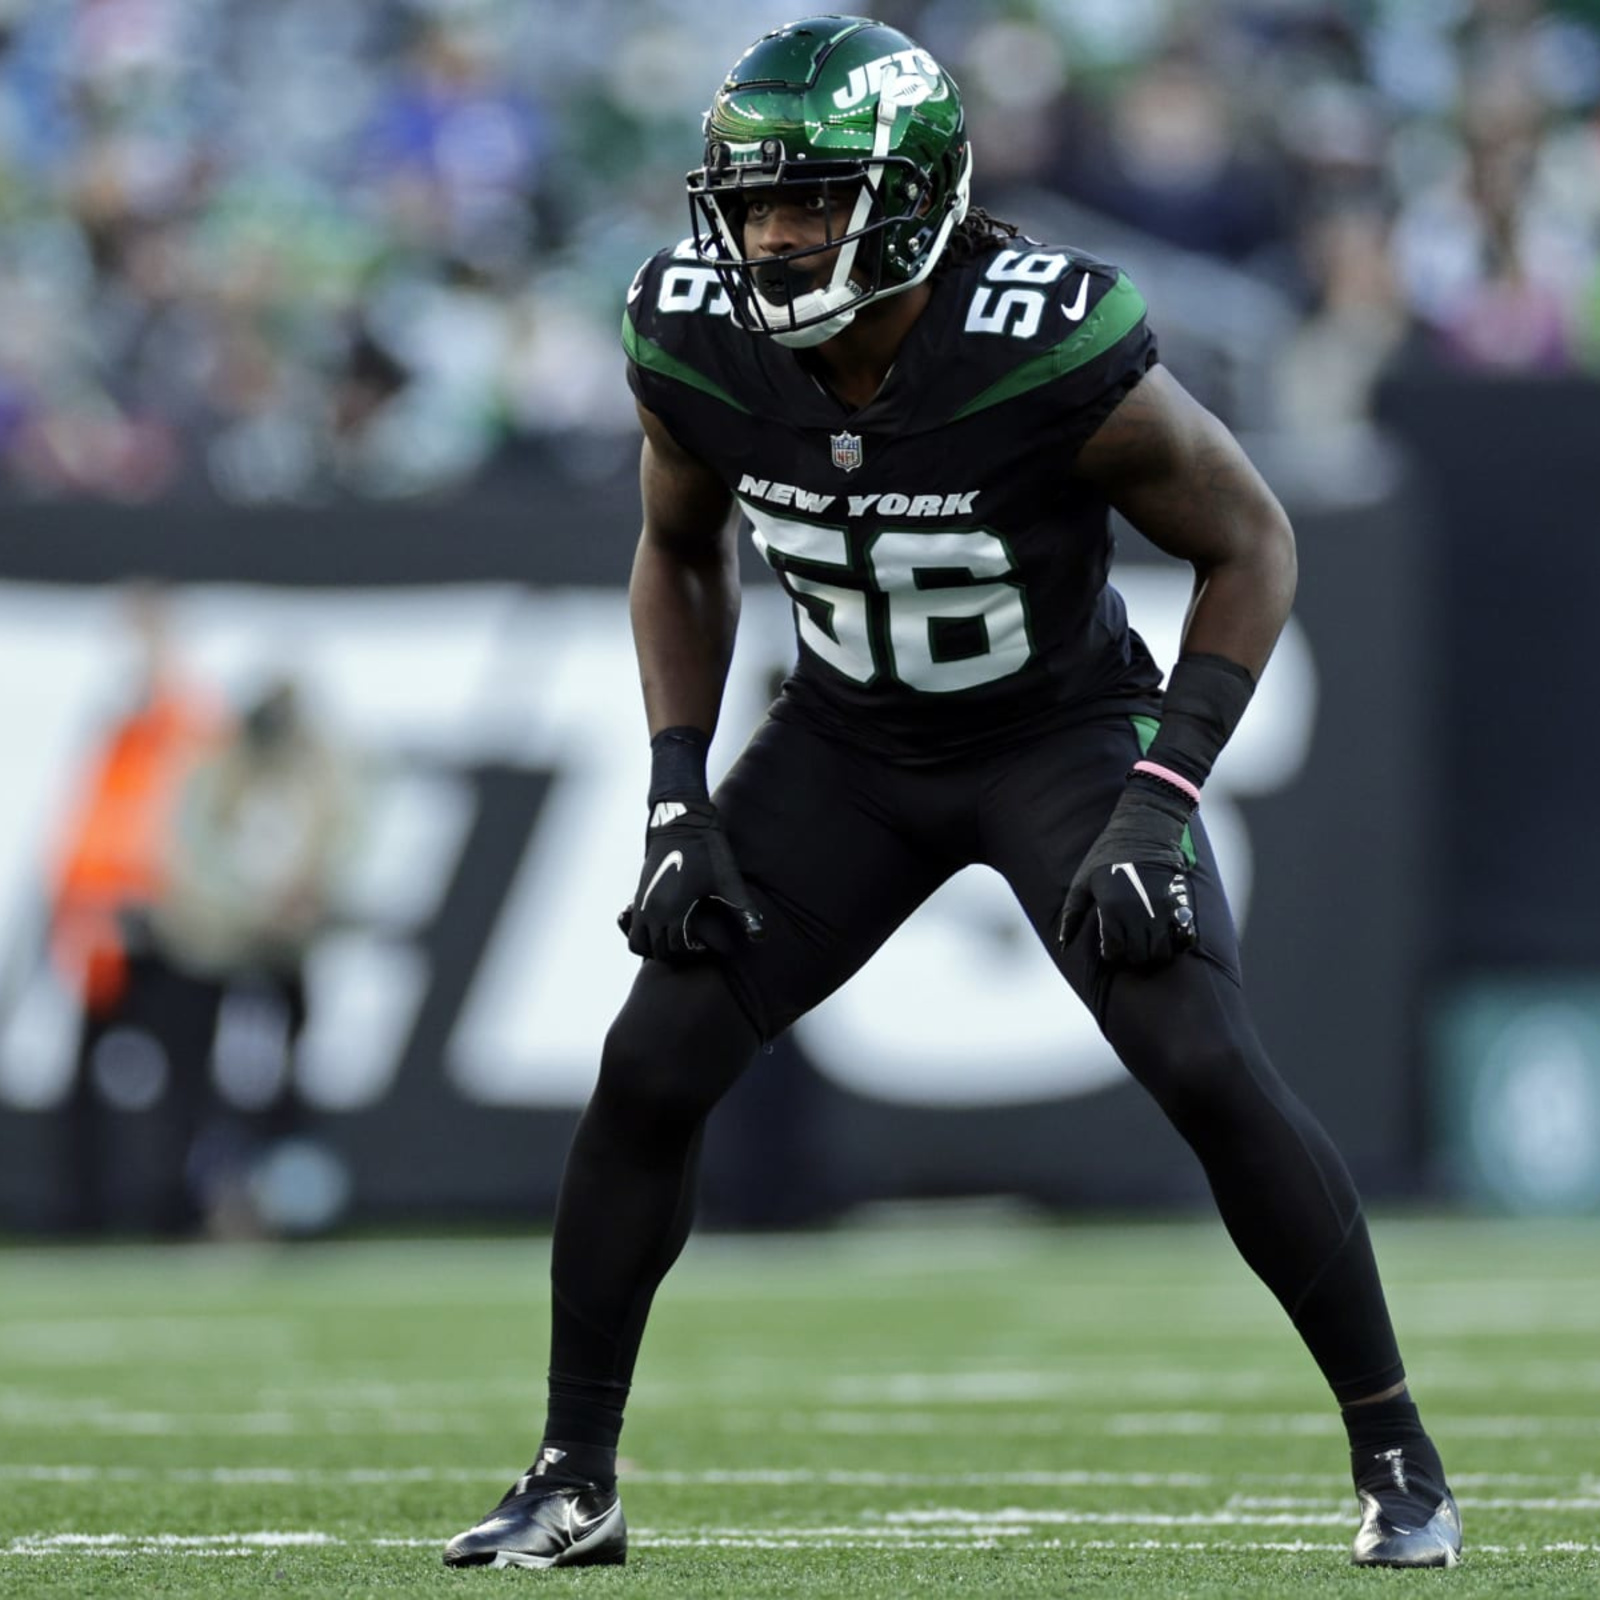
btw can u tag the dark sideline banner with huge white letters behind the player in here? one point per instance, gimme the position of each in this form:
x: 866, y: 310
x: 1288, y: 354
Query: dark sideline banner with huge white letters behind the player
x: 476, y: 658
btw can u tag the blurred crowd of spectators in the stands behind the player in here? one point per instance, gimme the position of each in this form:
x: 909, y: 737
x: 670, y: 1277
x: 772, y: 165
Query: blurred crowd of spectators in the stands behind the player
x: 294, y: 250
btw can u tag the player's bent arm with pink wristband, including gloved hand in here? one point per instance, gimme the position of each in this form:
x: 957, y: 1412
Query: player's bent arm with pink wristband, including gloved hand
x: 1185, y: 482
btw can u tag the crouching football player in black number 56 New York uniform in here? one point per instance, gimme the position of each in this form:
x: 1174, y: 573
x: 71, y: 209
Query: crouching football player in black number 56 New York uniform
x: 926, y: 418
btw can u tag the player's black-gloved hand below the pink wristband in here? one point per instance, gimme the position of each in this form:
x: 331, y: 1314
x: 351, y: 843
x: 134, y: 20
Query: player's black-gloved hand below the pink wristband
x: 1135, y: 881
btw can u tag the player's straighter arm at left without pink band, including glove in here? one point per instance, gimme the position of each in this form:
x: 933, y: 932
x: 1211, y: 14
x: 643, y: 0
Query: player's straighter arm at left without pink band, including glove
x: 684, y: 602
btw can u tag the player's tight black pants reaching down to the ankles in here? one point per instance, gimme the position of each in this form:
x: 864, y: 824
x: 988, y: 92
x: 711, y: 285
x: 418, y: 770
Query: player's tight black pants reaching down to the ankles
x: 839, y: 849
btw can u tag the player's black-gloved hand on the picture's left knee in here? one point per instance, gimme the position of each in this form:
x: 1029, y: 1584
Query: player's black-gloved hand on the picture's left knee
x: 689, y: 878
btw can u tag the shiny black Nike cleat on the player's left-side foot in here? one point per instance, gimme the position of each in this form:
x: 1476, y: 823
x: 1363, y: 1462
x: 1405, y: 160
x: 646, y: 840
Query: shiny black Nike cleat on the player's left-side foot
x: 546, y: 1522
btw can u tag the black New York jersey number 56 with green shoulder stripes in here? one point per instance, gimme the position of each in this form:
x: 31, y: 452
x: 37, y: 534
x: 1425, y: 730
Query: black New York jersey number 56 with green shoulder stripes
x: 948, y: 574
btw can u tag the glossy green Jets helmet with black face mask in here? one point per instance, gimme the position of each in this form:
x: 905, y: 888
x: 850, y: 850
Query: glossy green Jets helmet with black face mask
x: 836, y: 105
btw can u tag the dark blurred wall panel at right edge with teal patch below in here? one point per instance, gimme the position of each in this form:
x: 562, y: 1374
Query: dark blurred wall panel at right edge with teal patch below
x: 1513, y: 993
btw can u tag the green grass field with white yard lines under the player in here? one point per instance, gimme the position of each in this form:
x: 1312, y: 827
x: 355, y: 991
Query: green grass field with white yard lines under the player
x: 951, y: 1404
